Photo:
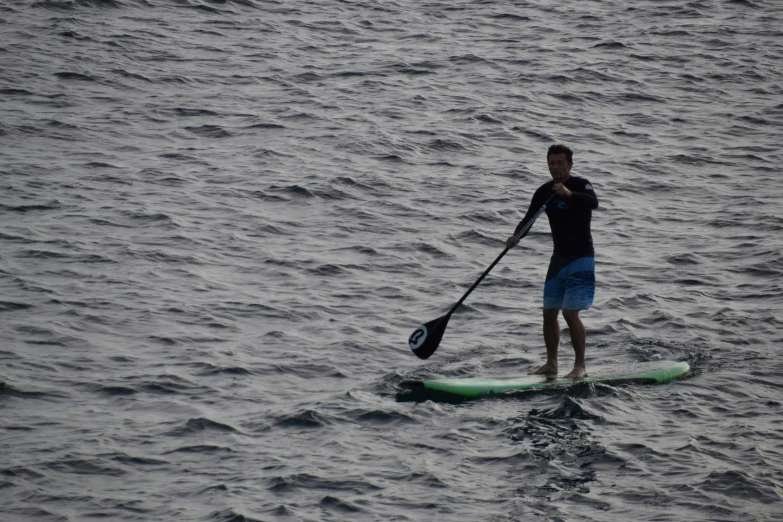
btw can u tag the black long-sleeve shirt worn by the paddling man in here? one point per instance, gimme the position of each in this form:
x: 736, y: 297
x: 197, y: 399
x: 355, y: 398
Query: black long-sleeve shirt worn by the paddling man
x: 569, y: 218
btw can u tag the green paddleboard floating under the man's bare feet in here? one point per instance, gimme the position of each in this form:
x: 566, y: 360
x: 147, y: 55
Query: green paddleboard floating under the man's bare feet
x: 641, y: 373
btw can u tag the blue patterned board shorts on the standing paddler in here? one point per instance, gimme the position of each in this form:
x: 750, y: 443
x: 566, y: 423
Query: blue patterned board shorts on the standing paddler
x: 570, y: 283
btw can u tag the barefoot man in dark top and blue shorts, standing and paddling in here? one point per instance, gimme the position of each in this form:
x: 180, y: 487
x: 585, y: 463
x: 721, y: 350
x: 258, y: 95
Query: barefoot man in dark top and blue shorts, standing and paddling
x: 570, y: 280
